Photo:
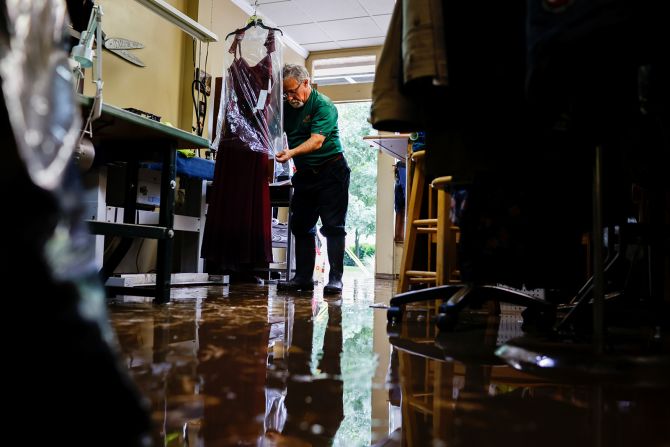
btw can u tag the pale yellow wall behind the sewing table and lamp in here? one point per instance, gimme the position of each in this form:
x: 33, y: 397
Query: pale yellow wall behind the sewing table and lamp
x: 163, y: 87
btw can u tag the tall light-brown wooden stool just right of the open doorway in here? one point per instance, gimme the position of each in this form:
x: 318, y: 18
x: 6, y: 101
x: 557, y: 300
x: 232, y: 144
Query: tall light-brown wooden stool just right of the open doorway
x: 439, y: 231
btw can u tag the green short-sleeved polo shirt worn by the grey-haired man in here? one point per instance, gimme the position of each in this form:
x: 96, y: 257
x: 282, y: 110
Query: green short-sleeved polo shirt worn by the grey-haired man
x: 317, y: 116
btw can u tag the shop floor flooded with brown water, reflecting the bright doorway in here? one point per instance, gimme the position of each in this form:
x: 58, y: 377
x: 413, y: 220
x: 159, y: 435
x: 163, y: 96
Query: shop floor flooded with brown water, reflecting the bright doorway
x: 245, y: 365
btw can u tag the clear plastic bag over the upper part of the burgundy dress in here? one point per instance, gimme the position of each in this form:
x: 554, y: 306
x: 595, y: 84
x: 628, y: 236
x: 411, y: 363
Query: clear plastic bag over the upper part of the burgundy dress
x: 250, y: 112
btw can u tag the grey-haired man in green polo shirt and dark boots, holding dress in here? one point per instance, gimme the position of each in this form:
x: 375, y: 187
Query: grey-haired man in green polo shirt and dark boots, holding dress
x: 321, y: 180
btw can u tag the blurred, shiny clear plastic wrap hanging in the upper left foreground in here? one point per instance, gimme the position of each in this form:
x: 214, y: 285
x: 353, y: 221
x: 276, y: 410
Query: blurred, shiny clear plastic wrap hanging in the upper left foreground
x: 38, y: 88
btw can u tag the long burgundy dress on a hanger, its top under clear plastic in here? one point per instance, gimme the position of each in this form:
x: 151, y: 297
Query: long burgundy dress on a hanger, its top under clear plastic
x: 238, y: 232
